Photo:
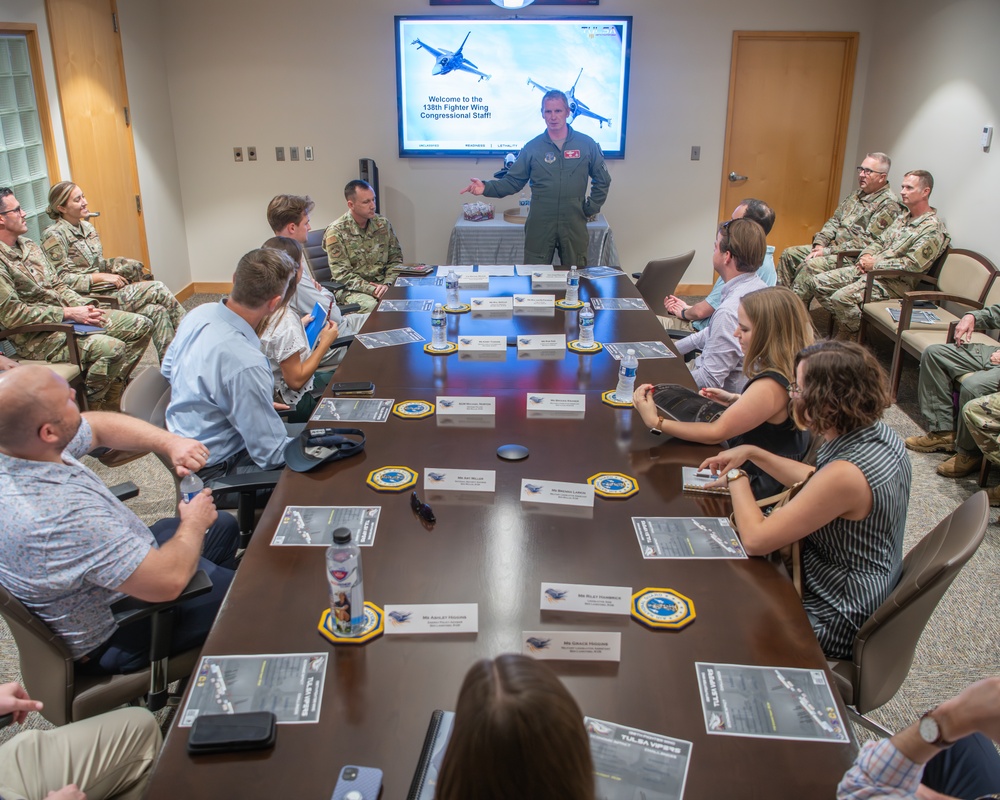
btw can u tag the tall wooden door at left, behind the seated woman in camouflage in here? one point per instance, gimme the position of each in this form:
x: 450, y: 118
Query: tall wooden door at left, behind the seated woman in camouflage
x: 90, y: 73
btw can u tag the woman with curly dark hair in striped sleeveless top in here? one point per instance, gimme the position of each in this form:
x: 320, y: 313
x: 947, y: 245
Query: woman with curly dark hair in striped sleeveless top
x: 851, y: 514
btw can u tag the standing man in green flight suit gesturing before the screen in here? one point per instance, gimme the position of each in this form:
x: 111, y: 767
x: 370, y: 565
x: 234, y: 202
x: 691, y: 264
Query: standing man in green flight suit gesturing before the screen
x: 558, y: 163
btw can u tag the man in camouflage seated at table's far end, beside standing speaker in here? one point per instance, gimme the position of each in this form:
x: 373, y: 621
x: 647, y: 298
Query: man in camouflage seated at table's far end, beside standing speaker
x: 362, y: 249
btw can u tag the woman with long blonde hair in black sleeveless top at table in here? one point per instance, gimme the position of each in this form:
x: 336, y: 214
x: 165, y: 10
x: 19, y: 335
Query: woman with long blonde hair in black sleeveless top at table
x: 773, y: 326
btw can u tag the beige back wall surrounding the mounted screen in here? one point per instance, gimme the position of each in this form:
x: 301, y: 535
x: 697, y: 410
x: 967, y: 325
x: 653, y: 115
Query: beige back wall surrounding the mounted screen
x: 322, y: 74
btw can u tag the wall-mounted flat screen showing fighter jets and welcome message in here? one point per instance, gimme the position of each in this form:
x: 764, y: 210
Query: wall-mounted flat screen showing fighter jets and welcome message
x: 473, y: 86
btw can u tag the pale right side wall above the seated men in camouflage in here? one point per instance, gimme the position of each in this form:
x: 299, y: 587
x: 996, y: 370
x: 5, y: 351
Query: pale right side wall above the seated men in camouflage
x: 932, y: 86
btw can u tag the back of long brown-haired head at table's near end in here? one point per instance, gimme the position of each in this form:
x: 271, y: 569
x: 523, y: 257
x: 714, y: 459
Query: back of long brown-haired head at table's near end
x: 518, y: 733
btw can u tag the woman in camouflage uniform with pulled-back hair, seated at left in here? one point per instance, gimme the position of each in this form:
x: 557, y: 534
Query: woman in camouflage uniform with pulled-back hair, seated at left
x: 74, y: 250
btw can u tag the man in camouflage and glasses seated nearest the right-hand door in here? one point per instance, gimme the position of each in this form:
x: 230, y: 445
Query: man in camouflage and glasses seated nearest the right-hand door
x: 859, y: 220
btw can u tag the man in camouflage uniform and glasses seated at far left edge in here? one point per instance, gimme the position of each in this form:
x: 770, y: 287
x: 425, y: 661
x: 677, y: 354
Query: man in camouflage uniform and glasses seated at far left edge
x: 31, y: 291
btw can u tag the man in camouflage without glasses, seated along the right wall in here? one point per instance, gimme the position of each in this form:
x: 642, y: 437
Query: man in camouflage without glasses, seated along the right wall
x: 912, y: 243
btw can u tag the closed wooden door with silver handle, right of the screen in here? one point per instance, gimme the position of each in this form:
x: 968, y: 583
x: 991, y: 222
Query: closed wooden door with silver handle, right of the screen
x: 789, y: 104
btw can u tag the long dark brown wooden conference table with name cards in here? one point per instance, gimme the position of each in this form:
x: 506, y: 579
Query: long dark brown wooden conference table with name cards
x: 378, y: 697
